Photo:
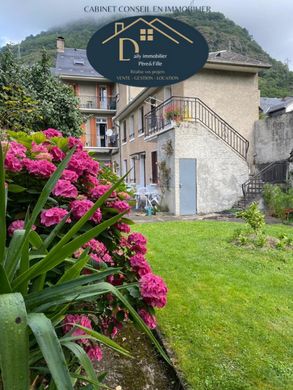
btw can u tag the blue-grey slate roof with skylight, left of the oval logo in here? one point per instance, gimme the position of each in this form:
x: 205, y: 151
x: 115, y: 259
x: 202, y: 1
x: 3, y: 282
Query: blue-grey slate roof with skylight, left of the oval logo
x: 74, y: 62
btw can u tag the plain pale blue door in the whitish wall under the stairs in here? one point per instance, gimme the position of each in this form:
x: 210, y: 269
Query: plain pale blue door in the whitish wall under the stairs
x: 187, y: 186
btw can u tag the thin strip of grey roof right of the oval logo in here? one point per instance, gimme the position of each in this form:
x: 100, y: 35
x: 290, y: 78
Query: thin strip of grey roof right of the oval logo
x: 229, y: 57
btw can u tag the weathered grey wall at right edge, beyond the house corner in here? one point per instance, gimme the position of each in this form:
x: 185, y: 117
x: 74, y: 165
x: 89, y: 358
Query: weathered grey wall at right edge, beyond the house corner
x: 273, y: 138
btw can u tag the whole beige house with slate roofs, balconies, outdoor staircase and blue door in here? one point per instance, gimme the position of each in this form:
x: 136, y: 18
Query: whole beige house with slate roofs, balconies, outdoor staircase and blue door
x: 193, y: 139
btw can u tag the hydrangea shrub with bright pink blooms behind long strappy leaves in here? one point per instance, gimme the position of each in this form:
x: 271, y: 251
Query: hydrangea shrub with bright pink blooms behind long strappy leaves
x: 30, y: 160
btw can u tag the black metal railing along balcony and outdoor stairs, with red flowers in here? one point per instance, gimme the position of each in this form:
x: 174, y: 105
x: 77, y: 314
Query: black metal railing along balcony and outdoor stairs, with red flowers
x: 190, y: 109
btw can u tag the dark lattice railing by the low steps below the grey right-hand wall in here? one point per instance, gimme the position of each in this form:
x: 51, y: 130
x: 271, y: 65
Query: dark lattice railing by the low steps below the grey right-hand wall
x: 276, y: 172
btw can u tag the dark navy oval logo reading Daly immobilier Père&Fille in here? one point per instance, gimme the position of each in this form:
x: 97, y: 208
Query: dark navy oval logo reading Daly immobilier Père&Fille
x: 147, y: 51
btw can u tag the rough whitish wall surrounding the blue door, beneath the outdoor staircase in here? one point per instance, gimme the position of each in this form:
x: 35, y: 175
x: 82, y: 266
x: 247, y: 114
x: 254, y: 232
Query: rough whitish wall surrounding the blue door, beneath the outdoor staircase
x: 220, y: 171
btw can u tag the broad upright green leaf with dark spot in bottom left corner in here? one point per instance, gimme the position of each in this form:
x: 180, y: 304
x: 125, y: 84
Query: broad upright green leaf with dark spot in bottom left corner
x: 14, y: 347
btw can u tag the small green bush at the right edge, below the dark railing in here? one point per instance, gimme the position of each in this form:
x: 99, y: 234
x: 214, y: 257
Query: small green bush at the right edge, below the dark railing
x: 278, y: 200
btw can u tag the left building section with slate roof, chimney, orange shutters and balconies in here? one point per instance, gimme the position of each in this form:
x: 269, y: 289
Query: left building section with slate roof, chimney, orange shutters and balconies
x: 97, y: 97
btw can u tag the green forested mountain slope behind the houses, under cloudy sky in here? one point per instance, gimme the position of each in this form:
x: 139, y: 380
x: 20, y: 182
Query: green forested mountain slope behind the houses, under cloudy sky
x: 220, y: 32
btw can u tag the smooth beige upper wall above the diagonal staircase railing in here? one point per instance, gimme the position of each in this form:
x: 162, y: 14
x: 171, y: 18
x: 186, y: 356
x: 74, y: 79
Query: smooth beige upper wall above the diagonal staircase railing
x: 232, y: 95
